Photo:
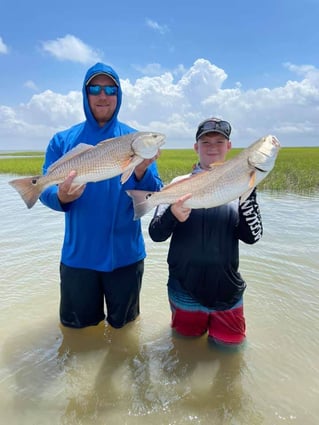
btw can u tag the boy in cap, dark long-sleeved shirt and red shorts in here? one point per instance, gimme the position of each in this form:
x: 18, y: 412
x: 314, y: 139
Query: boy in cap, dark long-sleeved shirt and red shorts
x: 205, y: 289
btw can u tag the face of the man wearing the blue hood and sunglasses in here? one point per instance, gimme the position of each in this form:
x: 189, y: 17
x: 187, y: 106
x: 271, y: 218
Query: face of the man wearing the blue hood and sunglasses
x: 102, y: 106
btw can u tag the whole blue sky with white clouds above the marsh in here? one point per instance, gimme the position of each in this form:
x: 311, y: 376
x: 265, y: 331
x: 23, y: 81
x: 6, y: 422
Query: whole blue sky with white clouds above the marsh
x: 254, y: 64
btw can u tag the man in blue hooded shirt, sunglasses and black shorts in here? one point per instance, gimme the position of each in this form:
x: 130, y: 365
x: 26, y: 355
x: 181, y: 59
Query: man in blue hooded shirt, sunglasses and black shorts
x: 103, y: 250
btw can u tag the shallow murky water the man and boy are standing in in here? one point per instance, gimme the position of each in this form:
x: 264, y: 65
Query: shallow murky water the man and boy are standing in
x: 143, y: 374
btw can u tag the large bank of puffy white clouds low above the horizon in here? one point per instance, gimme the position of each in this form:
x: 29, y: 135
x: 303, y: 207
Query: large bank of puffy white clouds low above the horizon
x: 175, y: 104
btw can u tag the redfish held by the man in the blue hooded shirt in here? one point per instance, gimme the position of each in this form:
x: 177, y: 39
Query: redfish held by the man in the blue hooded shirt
x: 109, y: 158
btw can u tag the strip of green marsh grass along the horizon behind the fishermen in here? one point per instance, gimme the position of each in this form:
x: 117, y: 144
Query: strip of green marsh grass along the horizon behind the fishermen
x: 296, y: 169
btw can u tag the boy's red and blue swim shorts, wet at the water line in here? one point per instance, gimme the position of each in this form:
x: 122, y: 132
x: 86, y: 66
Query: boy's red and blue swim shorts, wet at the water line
x: 193, y: 319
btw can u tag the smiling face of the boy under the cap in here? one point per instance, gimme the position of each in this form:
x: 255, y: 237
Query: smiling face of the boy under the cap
x: 212, y: 147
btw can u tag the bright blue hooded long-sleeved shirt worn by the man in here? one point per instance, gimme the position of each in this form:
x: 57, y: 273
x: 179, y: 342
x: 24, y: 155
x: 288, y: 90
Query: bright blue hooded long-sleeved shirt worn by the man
x: 100, y: 233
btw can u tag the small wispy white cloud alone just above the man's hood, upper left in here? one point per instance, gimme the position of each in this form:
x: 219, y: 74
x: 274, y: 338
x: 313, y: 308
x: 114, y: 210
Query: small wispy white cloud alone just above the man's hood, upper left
x: 70, y: 48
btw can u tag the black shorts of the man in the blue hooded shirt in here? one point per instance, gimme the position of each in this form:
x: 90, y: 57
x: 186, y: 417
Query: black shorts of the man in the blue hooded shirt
x: 83, y: 292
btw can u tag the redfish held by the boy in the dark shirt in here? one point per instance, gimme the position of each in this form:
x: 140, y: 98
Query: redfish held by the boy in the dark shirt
x: 224, y: 182
